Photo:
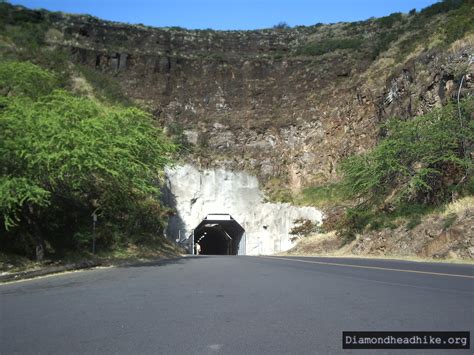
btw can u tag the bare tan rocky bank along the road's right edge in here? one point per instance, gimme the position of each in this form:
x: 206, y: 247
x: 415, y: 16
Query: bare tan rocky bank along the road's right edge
x: 448, y: 235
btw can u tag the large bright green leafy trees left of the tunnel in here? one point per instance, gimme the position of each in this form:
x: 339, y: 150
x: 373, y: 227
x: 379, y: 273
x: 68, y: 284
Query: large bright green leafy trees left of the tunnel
x: 65, y: 158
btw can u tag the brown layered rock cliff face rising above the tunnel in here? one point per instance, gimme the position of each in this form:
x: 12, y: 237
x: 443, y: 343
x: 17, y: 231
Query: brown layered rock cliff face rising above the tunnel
x: 284, y: 104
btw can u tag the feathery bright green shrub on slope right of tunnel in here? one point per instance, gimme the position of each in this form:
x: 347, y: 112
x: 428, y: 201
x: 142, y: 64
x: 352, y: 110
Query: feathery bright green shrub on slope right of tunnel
x: 413, y: 160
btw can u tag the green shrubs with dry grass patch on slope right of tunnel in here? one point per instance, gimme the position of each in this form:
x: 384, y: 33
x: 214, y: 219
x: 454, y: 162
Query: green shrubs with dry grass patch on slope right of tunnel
x: 419, y: 165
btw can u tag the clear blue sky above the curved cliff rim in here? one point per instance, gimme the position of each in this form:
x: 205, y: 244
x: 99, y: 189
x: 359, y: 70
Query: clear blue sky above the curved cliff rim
x: 229, y: 14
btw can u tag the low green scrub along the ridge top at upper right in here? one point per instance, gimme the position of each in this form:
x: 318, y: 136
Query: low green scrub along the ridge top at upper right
x: 399, y: 31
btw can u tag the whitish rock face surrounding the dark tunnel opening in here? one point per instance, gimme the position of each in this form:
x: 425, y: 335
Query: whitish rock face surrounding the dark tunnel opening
x: 195, y: 194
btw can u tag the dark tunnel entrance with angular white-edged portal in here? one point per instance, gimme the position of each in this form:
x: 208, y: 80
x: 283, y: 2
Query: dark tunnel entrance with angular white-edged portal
x: 220, y: 234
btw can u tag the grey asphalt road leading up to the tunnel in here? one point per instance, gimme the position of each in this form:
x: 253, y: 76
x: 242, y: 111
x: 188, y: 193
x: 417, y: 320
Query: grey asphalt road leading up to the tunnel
x: 234, y: 305
